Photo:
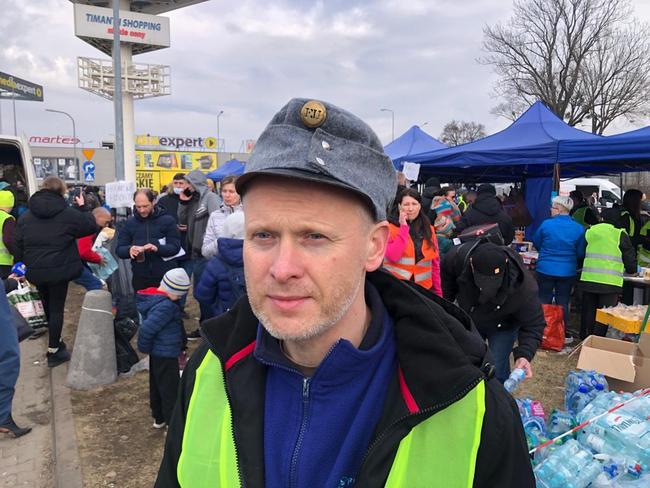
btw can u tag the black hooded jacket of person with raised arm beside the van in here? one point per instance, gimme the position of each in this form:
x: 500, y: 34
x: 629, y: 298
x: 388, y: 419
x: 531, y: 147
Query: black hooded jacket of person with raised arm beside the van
x: 45, y: 238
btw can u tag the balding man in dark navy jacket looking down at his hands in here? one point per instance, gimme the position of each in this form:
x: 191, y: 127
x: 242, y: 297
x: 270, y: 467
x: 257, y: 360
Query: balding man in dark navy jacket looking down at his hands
x: 150, y: 239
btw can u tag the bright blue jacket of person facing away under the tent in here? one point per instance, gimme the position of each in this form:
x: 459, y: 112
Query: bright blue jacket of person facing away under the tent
x: 561, y: 243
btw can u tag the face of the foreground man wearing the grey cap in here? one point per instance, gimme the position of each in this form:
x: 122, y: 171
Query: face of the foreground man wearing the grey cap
x: 306, y: 250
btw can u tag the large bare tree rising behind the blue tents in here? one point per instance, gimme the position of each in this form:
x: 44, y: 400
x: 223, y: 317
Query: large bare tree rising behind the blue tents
x: 582, y: 58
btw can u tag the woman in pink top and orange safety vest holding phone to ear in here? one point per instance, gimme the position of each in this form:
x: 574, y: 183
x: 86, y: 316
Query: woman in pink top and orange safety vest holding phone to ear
x: 412, y: 252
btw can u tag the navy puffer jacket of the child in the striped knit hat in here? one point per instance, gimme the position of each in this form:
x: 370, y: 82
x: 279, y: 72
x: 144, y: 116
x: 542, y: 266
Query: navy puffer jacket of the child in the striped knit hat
x: 160, y: 328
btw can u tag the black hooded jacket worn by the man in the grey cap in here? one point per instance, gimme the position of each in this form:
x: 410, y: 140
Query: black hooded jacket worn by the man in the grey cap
x: 441, y: 356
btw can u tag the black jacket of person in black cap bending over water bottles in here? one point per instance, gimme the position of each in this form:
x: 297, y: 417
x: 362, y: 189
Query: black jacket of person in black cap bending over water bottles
x: 521, y: 308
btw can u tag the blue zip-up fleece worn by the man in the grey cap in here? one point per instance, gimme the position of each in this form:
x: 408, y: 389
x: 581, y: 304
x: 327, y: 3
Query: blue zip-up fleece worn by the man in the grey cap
x: 317, y: 430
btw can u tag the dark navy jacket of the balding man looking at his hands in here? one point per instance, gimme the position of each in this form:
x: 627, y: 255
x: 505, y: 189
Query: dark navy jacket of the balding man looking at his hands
x: 159, y: 229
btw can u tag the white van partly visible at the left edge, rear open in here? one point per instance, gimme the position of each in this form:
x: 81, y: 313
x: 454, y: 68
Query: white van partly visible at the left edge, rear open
x: 16, y: 168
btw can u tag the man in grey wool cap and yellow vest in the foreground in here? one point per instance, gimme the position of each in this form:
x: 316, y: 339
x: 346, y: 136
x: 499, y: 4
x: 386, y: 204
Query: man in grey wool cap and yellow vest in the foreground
x: 332, y: 372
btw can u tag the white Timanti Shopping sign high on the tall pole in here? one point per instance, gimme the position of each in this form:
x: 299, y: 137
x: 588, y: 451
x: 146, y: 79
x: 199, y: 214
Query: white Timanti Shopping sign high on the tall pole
x: 97, y: 23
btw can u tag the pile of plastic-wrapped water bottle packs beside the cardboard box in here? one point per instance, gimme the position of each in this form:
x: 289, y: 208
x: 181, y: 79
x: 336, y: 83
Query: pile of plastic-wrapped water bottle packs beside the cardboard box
x: 611, y: 449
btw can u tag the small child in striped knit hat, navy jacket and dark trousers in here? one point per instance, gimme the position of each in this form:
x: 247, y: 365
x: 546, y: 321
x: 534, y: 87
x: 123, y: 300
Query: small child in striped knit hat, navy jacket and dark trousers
x: 160, y: 336
